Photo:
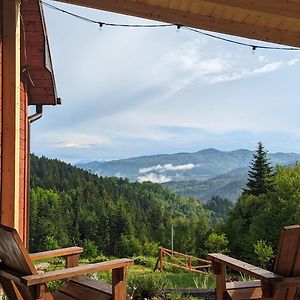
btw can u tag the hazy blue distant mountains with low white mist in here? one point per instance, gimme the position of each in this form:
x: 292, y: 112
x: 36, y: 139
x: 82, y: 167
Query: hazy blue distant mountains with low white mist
x: 201, y: 174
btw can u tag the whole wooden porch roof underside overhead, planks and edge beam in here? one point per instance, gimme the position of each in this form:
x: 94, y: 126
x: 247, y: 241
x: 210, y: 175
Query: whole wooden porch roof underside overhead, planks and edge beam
x: 276, y: 21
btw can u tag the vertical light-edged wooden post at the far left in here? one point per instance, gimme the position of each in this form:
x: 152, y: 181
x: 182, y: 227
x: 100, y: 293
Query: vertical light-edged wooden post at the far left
x: 11, y: 114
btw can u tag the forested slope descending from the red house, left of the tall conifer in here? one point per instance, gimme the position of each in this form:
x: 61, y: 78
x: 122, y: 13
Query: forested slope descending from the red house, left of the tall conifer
x: 70, y: 206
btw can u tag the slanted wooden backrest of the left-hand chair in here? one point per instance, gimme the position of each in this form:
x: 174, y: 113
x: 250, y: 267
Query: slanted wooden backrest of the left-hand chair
x: 13, y: 253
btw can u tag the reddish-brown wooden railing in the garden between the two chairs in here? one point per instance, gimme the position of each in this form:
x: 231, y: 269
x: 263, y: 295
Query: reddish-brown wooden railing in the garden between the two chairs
x: 167, y: 257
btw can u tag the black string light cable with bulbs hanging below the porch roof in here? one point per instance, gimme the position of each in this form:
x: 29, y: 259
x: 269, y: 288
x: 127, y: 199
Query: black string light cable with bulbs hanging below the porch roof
x: 178, y: 26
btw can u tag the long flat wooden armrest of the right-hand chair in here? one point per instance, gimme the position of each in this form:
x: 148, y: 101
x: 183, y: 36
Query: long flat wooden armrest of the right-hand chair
x: 244, y: 267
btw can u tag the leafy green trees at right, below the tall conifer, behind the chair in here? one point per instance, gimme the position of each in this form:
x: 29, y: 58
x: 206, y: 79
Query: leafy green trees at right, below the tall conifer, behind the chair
x: 254, y: 224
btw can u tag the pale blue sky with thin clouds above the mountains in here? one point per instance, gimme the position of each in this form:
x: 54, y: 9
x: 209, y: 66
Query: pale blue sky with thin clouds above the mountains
x: 130, y: 92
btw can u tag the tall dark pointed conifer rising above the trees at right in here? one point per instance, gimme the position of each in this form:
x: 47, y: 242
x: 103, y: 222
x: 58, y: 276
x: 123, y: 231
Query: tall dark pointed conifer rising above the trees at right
x: 260, y: 175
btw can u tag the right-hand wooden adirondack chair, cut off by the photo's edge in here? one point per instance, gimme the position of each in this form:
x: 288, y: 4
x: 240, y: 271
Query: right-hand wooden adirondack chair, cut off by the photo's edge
x: 281, y: 284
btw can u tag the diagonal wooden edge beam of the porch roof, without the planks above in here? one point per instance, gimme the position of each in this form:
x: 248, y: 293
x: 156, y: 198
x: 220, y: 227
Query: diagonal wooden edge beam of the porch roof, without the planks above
x: 211, y: 23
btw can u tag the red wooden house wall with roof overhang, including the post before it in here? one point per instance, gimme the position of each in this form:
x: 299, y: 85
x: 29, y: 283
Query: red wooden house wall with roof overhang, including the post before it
x: 26, y: 78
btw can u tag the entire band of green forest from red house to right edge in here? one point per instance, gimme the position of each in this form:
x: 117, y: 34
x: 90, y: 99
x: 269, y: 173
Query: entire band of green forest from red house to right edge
x: 113, y: 216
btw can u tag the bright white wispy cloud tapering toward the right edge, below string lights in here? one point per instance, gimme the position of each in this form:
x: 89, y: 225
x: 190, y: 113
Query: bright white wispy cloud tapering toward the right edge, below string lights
x: 195, y: 62
